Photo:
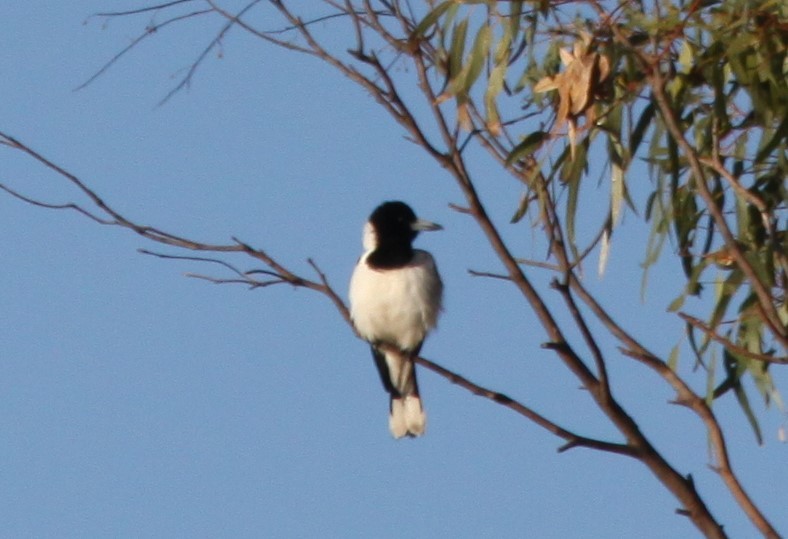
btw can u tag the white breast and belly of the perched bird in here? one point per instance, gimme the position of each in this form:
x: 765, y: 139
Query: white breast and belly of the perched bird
x: 398, y: 306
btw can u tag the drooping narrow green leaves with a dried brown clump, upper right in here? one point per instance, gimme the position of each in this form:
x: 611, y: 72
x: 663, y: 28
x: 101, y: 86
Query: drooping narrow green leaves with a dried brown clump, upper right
x: 694, y: 95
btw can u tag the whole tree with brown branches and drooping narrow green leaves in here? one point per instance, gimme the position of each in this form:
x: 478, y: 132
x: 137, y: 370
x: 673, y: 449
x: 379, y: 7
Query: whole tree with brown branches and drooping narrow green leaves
x: 678, y: 111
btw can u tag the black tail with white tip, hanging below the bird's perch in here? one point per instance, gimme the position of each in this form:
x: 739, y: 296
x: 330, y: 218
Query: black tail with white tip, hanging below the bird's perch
x: 398, y: 374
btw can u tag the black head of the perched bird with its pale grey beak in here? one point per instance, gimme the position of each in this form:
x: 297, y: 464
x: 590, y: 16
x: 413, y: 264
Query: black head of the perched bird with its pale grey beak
x: 395, y: 227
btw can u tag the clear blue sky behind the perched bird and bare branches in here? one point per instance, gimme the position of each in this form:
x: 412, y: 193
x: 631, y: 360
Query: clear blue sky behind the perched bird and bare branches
x: 137, y: 402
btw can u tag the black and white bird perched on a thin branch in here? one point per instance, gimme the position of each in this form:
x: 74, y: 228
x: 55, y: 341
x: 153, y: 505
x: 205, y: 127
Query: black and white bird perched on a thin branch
x: 395, y: 299
